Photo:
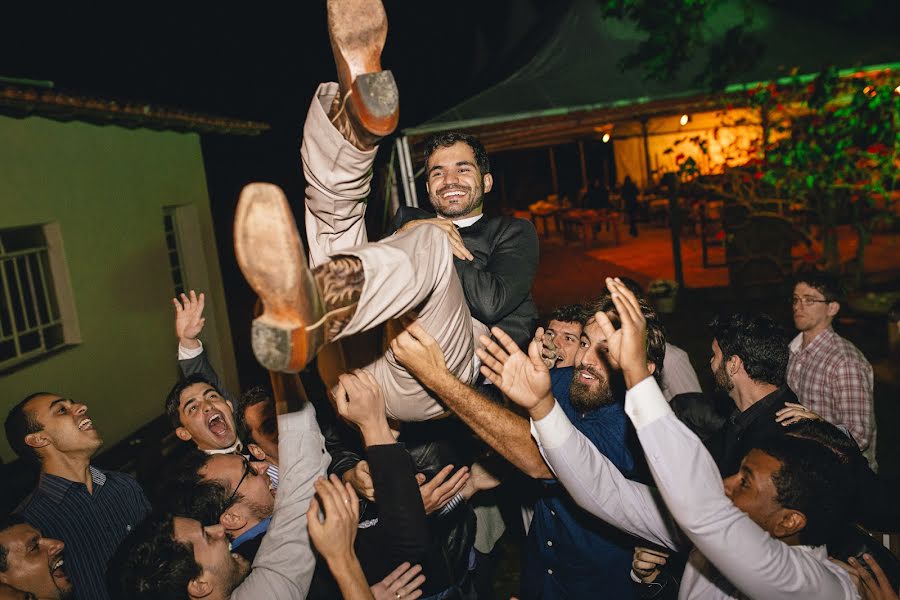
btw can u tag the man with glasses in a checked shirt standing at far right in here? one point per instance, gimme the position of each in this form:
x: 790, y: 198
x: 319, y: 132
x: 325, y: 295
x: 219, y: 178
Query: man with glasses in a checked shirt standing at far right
x: 830, y: 376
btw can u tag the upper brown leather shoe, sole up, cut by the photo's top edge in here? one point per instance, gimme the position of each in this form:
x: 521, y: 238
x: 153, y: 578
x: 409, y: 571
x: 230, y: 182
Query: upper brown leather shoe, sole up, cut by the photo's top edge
x: 369, y: 96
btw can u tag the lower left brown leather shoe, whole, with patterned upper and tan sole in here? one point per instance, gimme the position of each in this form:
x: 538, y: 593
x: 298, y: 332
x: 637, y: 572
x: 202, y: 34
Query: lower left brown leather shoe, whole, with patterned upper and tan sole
x: 295, y: 322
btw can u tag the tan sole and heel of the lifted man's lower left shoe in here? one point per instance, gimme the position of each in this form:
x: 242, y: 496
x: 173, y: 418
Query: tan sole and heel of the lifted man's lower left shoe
x: 271, y: 257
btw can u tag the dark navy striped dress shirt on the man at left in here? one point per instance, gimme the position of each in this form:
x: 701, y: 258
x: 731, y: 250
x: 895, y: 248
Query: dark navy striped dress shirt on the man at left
x: 91, y: 525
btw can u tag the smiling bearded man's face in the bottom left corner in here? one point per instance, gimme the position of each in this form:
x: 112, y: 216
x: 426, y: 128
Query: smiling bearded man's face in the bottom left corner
x: 34, y: 564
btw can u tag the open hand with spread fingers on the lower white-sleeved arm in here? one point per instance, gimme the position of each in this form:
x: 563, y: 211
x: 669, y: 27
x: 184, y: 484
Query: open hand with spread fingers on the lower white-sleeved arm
x: 524, y: 378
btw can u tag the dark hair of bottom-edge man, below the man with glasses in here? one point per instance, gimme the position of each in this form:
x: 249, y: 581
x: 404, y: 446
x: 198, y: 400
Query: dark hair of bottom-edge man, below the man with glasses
x: 151, y: 564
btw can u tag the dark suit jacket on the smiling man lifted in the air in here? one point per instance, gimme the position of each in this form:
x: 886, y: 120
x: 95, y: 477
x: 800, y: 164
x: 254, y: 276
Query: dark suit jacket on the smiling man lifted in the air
x: 497, y: 283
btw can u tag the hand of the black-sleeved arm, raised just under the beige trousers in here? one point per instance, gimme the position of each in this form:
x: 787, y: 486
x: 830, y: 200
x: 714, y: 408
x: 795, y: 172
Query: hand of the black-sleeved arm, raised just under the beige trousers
x: 358, y: 399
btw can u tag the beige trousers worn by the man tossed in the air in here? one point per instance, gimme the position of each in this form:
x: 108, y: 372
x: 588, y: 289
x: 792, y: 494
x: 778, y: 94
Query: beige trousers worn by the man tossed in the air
x: 410, y: 271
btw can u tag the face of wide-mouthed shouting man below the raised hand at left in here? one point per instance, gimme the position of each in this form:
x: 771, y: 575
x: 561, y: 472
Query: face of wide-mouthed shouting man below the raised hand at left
x: 206, y: 418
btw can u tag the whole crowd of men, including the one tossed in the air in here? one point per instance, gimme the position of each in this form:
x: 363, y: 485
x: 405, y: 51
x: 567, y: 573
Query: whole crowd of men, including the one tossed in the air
x: 630, y: 480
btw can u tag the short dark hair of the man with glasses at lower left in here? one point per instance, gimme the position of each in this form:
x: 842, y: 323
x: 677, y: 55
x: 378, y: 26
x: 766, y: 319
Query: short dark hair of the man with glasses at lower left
x: 188, y: 494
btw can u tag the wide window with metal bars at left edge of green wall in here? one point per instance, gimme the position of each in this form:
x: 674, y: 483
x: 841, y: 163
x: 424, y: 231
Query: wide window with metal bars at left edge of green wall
x: 31, y: 319
